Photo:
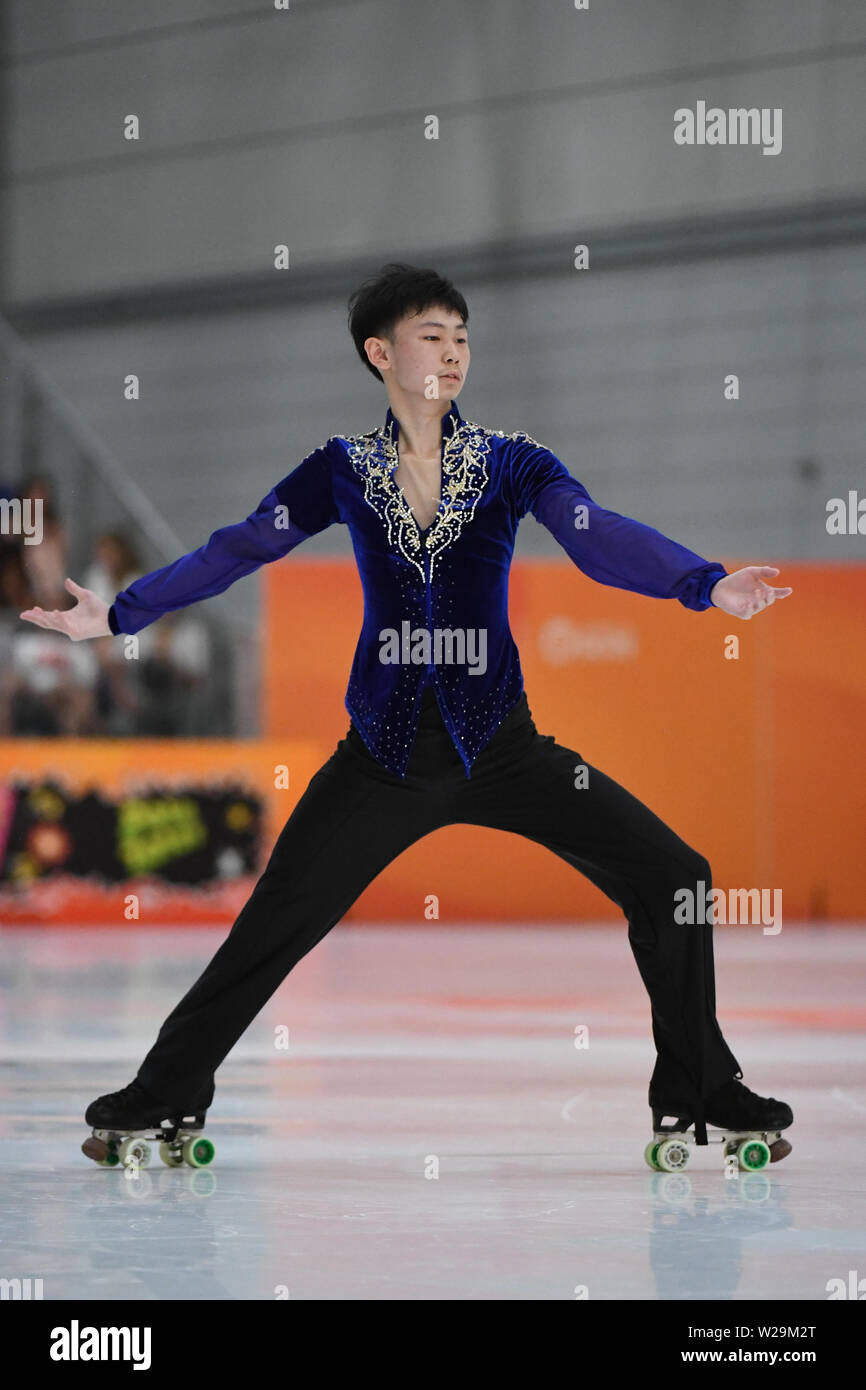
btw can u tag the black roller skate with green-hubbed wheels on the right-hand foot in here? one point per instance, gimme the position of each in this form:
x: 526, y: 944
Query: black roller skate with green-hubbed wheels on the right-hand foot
x: 749, y: 1128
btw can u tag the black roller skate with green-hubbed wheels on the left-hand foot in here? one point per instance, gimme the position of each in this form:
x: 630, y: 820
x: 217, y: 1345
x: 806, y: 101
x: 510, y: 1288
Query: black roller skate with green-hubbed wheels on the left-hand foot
x: 126, y: 1121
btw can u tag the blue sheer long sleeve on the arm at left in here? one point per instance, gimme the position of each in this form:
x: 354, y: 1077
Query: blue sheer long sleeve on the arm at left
x: 300, y: 507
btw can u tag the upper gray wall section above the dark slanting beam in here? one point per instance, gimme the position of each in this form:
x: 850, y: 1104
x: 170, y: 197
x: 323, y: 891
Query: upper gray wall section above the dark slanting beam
x: 308, y: 127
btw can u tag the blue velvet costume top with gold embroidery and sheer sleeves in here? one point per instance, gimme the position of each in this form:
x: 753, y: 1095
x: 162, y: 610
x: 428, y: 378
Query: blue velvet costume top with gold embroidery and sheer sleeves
x: 451, y: 578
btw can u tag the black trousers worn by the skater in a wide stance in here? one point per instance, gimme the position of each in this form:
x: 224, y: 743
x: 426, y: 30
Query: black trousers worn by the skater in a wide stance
x: 357, y: 817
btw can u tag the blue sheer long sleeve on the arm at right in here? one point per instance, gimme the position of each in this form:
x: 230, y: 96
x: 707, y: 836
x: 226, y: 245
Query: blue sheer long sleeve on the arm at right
x: 610, y: 548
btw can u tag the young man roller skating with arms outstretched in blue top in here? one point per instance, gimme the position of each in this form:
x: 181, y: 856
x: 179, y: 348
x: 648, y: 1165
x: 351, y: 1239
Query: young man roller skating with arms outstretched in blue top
x: 440, y: 726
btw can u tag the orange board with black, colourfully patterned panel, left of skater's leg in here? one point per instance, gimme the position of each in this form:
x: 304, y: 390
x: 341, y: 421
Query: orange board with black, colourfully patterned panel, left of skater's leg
x: 122, y: 832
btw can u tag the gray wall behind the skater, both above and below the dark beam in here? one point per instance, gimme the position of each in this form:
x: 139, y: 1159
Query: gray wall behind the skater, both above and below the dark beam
x: 308, y: 127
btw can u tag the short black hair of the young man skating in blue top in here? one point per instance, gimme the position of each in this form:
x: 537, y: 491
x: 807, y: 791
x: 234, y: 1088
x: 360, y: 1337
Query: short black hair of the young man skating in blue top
x: 394, y: 293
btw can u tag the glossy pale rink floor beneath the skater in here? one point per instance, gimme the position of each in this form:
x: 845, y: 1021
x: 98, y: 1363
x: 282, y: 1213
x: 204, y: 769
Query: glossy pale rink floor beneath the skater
x: 420, y: 1046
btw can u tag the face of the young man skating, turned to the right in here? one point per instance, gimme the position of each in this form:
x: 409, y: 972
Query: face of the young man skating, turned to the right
x: 429, y: 355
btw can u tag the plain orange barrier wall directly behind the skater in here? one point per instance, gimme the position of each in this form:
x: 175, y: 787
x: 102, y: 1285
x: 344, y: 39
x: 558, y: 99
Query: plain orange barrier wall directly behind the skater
x: 758, y: 762
